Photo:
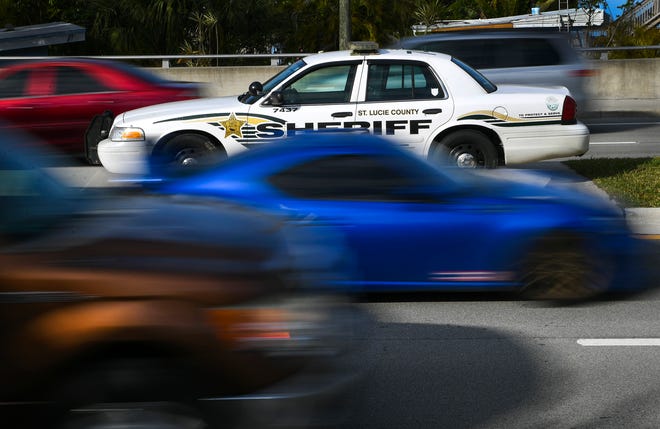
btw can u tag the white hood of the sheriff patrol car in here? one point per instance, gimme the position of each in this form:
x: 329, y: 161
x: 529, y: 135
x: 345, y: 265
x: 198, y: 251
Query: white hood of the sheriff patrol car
x: 178, y: 109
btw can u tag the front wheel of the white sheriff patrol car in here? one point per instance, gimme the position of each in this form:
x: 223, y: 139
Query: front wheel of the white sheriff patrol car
x: 192, y: 150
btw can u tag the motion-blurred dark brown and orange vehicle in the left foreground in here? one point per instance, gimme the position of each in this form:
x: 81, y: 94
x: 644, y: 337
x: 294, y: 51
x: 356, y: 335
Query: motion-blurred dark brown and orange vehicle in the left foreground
x: 152, y: 312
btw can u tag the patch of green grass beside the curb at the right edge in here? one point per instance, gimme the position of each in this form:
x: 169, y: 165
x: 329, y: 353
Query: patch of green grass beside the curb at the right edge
x: 632, y: 182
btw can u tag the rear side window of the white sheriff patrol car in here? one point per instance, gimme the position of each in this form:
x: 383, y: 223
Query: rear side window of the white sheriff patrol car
x: 402, y: 81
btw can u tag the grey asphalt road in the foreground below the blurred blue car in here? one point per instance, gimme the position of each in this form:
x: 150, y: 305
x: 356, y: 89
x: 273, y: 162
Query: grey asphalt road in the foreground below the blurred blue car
x: 448, y: 361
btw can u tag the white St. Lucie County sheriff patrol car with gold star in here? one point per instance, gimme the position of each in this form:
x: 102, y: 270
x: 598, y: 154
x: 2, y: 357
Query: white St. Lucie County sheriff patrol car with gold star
x: 432, y: 103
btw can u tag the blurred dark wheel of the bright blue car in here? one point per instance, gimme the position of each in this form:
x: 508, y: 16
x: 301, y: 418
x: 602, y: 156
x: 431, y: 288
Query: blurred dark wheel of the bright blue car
x: 563, y: 267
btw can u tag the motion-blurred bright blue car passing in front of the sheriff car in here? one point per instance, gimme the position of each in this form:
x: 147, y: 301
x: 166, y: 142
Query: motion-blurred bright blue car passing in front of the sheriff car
x: 411, y: 226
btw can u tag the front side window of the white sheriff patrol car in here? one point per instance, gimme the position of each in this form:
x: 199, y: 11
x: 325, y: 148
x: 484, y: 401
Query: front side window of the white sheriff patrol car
x: 330, y: 84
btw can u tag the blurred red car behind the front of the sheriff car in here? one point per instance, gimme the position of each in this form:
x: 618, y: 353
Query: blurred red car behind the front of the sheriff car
x: 57, y: 99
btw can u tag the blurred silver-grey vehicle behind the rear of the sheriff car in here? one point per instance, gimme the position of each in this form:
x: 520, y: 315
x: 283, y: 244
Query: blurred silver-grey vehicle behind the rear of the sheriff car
x: 540, y: 58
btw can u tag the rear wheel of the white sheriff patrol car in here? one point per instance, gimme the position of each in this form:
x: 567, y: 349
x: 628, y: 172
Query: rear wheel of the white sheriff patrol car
x: 467, y: 149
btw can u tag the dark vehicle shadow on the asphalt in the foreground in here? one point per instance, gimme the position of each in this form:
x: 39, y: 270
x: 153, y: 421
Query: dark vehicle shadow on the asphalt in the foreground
x: 446, y: 376
